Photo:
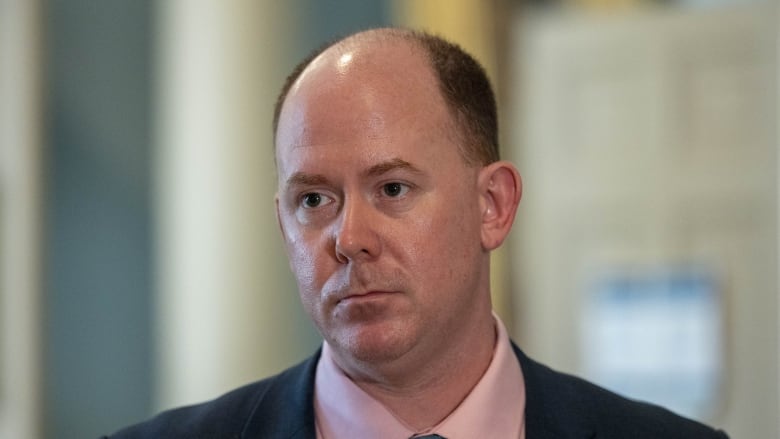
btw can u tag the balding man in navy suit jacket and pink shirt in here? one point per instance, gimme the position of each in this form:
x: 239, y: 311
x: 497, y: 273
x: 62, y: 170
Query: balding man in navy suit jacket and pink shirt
x: 391, y: 196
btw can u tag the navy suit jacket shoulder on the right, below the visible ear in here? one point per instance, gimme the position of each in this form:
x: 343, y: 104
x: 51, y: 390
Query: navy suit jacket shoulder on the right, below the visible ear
x: 555, y: 399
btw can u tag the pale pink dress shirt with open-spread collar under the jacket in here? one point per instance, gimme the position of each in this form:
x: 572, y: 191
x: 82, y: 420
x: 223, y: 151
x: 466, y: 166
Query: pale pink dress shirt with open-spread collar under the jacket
x: 494, y: 408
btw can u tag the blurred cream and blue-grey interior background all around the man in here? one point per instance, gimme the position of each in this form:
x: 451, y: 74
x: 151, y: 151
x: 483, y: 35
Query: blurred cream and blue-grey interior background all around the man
x: 140, y: 264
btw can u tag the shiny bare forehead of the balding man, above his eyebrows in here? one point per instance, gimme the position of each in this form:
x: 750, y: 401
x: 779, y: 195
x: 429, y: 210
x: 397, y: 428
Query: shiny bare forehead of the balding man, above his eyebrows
x: 375, y: 89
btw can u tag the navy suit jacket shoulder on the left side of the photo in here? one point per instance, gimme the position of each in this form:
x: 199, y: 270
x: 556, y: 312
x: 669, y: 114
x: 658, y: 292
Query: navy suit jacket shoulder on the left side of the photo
x: 229, y: 415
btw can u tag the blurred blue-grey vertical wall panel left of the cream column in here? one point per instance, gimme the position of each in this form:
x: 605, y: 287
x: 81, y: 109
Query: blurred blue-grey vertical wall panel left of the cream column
x: 98, y: 259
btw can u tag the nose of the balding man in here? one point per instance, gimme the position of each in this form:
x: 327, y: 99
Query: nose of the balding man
x: 356, y: 235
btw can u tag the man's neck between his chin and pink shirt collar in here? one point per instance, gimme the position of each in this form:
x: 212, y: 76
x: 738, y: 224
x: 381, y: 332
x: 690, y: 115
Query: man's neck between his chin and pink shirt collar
x: 426, y: 396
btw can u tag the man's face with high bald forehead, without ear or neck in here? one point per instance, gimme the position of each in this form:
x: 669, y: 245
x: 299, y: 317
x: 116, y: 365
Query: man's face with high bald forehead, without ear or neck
x: 379, y: 212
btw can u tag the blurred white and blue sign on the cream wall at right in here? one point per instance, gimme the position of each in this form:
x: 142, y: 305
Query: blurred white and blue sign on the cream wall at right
x: 656, y: 336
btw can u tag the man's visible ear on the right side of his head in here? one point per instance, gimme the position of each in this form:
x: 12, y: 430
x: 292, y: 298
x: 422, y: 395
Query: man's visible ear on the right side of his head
x: 500, y: 189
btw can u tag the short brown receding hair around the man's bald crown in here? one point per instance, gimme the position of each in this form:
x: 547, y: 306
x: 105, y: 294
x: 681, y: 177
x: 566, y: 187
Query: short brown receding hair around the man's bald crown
x: 462, y: 82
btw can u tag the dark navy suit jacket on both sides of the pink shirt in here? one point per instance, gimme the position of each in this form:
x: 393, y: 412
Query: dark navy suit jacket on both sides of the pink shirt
x: 557, y: 406
